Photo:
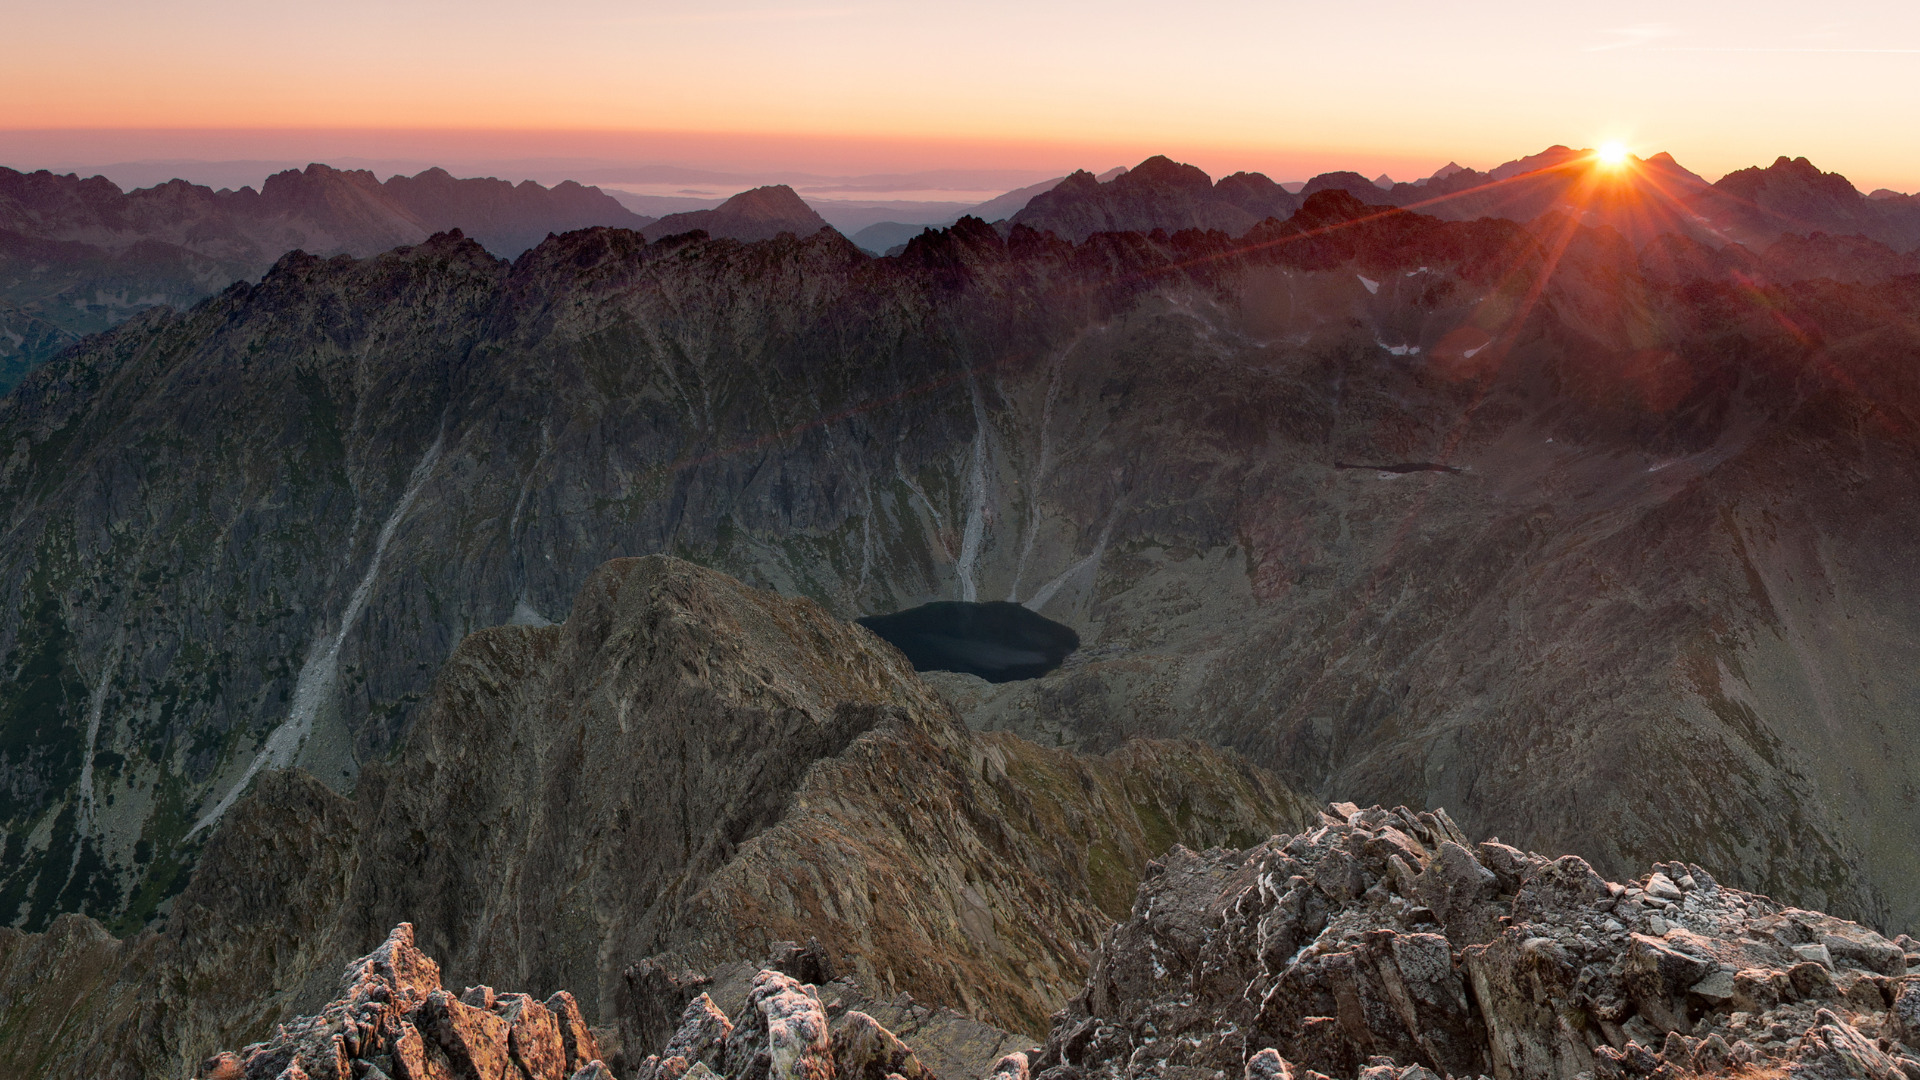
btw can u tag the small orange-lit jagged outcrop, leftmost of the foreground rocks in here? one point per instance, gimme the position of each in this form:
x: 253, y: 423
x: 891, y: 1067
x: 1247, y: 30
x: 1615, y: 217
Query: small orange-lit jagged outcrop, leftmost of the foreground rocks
x: 395, y: 1021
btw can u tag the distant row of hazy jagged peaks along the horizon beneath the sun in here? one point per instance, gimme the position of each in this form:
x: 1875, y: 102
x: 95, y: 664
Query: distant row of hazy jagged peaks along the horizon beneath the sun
x: 76, y: 257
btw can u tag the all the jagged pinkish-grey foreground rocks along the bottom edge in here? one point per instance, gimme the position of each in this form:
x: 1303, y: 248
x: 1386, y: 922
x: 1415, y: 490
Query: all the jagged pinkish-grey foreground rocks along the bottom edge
x: 1378, y: 946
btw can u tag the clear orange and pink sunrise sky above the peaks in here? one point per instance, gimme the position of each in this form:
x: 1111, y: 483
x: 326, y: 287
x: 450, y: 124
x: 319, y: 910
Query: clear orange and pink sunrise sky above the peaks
x: 1022, y: 86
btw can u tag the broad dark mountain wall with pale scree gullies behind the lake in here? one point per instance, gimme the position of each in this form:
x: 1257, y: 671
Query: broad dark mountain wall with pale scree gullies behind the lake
x: 1587, y: 545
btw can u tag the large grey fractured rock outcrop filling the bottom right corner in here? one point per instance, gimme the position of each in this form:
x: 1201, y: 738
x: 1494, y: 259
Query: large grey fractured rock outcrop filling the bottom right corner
x: 1383, y: 946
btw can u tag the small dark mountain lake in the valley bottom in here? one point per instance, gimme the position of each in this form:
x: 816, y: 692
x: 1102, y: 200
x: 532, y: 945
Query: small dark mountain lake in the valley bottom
x: 996, y: 641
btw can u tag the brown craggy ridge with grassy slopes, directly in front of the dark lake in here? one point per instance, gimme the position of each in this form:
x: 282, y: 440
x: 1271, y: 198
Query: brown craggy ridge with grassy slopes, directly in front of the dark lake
x: 686, y: 772
